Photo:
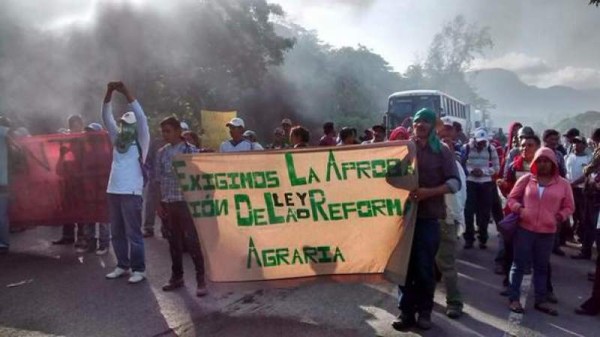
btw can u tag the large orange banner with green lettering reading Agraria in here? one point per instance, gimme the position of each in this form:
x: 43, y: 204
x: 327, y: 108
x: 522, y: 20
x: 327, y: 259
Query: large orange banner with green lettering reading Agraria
x: 280, y: 215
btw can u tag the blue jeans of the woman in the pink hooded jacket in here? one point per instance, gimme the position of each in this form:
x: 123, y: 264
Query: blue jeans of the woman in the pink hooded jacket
x: 531, y: 249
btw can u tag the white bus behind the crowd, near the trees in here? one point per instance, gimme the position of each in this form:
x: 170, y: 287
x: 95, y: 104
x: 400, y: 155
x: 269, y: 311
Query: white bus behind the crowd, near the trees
x: 404, y: 104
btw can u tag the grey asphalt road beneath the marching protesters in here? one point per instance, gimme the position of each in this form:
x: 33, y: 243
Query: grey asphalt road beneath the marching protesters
x: 47, y: 290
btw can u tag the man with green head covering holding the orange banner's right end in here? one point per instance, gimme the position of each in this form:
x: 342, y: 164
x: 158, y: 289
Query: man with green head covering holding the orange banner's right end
x: 438, y: 175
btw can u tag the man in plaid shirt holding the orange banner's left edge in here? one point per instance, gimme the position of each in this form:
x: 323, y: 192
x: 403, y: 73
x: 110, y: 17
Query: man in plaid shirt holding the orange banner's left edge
x: 179, y: 228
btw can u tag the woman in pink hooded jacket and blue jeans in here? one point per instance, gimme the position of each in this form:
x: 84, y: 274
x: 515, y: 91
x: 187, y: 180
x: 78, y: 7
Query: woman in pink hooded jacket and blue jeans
x: 543, y: 200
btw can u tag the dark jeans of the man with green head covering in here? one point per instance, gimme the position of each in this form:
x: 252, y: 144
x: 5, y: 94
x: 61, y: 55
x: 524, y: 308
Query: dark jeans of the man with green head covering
x: 416, y: 296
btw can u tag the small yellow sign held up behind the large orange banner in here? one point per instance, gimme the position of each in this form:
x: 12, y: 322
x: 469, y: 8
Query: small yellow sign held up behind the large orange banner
x: 214, y: 131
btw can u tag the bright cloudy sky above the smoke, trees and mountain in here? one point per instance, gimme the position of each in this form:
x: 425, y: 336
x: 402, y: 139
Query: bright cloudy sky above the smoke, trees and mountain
x: 546, y: 42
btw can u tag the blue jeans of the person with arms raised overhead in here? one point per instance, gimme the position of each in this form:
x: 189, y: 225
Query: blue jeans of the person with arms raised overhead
x: 126, y: 225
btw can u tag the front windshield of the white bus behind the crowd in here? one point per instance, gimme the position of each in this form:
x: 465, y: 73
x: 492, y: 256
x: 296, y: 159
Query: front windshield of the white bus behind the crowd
x: 400, y: 108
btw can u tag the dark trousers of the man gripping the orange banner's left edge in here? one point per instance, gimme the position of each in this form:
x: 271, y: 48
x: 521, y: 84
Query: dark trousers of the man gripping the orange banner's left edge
x: 179, y: 229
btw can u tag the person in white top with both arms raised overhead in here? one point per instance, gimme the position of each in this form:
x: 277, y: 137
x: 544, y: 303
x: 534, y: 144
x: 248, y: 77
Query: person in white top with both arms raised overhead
x: 130, y: 139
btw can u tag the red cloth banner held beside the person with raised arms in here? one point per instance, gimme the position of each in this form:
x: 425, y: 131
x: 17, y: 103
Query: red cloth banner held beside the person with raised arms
x: 60, y: 179
